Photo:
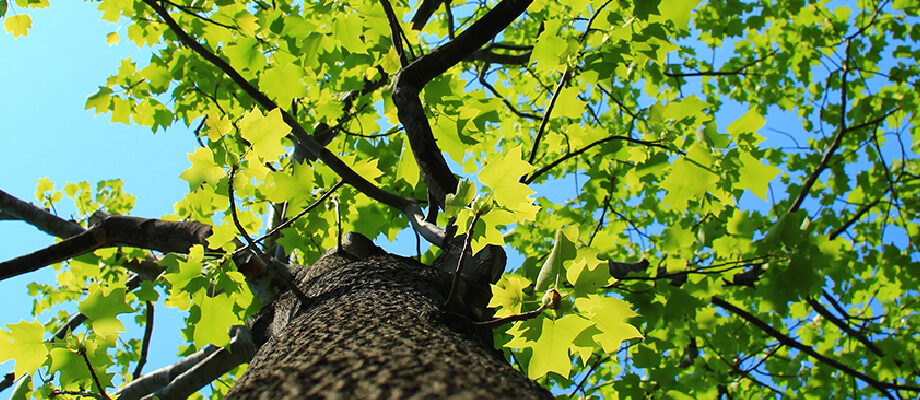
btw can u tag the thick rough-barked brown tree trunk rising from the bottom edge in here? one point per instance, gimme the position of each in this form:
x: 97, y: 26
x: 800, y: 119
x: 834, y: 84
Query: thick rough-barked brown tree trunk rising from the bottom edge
x: 374, y: 329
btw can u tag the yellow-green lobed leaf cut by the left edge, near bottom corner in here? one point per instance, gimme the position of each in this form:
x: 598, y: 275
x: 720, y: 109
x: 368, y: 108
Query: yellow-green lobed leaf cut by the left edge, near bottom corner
x: 25, y: 343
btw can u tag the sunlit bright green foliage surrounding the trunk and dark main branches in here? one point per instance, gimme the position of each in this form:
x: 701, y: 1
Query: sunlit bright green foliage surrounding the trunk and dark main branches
x: 760, y: 156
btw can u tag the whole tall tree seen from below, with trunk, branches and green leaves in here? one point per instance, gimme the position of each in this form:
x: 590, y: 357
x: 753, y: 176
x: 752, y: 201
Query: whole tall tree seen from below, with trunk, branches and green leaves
x: 678, y: 247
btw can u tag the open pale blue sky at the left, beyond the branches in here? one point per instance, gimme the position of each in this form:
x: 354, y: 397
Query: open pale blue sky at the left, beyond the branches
x: 46, y: 133
